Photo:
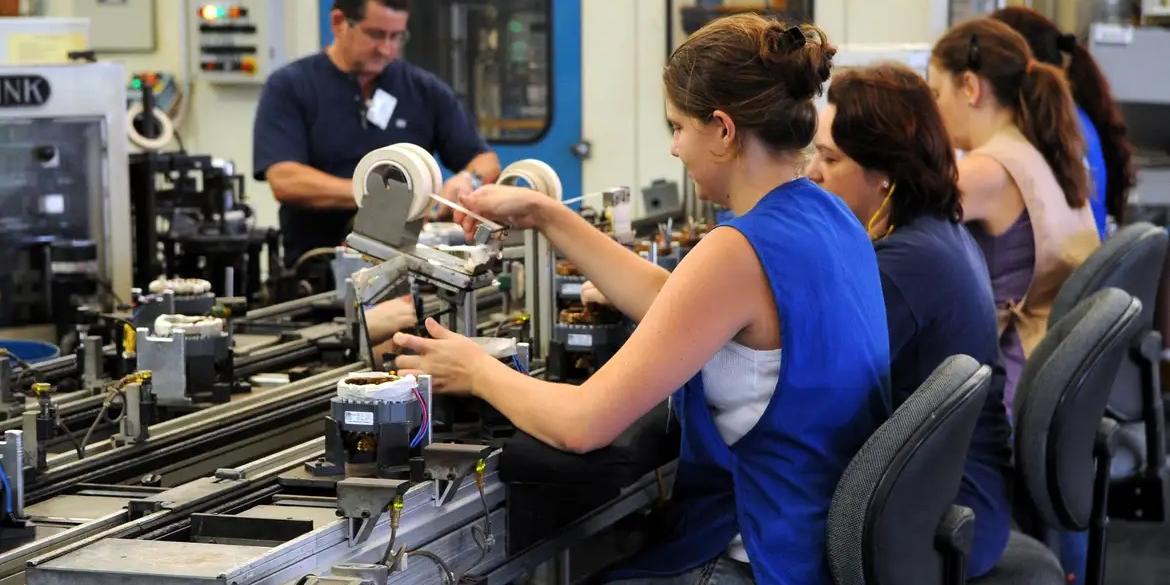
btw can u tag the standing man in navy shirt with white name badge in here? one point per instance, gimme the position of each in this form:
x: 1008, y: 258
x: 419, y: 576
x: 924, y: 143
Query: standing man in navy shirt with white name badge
x: 321, y: 114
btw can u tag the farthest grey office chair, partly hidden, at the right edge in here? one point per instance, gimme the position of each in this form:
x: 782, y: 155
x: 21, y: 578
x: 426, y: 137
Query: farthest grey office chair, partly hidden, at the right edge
x: 1132, y: 261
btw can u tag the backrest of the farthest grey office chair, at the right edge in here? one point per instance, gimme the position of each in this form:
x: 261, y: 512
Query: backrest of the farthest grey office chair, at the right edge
x: 1132, y: 261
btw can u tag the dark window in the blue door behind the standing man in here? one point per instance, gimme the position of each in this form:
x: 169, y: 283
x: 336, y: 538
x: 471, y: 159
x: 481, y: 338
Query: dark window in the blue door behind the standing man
x: 495, y: 56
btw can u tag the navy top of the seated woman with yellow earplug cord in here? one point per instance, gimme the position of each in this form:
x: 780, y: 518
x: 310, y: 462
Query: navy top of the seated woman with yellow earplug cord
x: 939, y: 304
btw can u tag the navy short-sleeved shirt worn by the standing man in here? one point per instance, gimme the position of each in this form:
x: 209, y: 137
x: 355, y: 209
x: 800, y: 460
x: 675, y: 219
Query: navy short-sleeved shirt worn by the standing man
x: 312, y: 113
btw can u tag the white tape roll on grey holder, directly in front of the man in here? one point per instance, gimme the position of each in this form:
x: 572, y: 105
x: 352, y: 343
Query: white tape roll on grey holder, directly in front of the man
x: 417, y: 167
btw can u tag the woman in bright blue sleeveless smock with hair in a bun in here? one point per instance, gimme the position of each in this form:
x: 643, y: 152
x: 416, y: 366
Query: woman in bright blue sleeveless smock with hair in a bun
x: 770, y: 334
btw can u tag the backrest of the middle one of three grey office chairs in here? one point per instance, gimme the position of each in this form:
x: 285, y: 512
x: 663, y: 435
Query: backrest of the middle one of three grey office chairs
x: 1061, y: 401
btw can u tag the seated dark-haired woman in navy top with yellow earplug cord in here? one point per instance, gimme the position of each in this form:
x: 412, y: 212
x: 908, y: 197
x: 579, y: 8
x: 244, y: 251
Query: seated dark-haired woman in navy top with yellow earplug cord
x: 883, y: 148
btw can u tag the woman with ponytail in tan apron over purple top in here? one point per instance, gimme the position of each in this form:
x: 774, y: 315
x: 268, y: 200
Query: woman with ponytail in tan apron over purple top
x: 1024, y: 181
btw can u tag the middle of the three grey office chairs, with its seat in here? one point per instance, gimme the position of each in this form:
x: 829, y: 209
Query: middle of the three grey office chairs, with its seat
x: 1064, y: 444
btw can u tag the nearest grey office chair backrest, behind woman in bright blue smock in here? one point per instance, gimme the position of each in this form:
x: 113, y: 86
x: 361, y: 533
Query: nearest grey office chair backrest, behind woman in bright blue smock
x: 900, y: 485
